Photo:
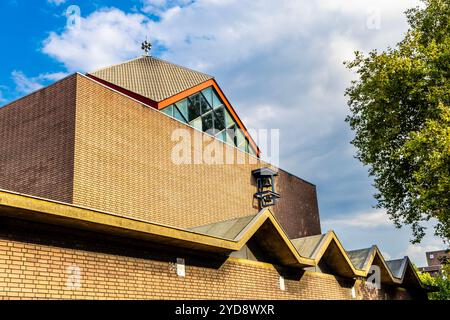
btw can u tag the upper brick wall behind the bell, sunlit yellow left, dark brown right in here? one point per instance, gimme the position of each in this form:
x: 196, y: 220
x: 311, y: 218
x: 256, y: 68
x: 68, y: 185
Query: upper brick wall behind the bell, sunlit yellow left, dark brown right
x: 123, y: 165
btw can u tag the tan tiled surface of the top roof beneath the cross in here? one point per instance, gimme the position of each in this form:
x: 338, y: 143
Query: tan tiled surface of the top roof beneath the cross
x: 151, y: 77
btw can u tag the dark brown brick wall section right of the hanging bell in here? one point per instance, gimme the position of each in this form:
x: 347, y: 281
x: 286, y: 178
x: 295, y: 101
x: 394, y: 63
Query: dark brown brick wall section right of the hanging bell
x: 297, y: 209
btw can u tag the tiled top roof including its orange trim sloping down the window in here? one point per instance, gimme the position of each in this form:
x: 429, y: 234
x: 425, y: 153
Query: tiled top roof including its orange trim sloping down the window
x: 159, y: 84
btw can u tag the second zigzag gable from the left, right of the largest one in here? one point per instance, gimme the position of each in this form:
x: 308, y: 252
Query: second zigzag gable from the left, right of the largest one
x: 326, y: 249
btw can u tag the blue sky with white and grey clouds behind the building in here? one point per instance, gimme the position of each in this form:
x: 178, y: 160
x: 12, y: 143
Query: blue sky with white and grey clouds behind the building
x: 280, y: 63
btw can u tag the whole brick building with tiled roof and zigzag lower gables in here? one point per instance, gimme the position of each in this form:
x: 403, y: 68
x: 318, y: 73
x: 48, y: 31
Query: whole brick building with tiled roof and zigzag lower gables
x: 99, y: 201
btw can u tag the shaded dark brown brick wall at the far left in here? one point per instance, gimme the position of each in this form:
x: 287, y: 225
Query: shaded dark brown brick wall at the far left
x: 36, y: 142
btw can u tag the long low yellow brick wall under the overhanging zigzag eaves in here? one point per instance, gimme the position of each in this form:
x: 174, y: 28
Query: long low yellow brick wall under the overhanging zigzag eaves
x: 34, y: 263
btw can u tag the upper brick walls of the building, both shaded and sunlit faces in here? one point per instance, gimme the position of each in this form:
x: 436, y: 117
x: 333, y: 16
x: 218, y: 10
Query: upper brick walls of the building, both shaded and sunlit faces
x: 79, y: 142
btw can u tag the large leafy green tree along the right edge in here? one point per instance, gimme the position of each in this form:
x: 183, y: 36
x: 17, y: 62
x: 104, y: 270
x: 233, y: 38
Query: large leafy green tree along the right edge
x: 400, y: 112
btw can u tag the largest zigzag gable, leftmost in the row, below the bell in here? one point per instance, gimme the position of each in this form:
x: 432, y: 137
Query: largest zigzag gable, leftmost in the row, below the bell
x: 263, y: 228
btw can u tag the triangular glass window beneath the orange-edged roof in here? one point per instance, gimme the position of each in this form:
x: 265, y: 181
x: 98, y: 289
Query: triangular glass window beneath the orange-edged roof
x: 206, y: 111
